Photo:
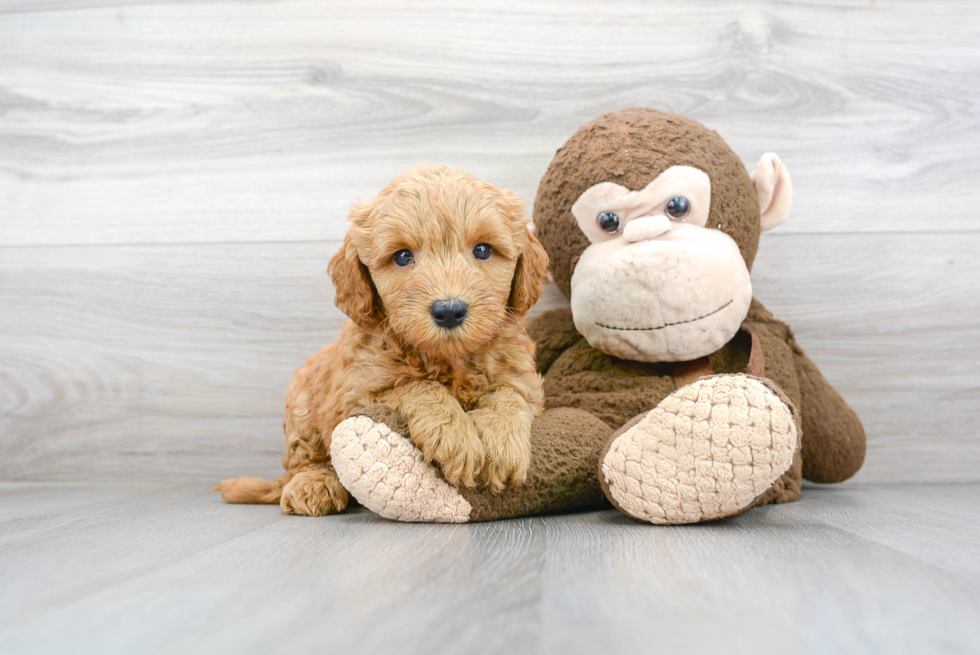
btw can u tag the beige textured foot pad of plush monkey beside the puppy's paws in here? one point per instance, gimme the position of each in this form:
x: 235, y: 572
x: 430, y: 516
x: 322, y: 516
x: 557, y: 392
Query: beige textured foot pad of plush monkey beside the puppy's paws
x: 386, y: 473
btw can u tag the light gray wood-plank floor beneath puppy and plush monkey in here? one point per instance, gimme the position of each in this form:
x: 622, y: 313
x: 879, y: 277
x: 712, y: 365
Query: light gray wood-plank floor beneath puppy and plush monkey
x: 89, y: 568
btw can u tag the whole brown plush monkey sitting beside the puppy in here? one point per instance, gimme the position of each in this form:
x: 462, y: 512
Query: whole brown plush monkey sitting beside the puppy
x: 672, y: 392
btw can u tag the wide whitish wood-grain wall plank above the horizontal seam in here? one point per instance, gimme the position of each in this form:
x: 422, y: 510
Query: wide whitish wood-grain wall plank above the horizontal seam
x: 262, y: 121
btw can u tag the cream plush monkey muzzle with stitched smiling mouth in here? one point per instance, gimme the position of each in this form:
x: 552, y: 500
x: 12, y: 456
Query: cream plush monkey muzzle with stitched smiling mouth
x: 677, y: 297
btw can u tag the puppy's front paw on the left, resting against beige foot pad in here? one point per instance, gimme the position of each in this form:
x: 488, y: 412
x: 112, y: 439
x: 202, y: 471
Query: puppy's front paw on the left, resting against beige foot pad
x: 455, y: 445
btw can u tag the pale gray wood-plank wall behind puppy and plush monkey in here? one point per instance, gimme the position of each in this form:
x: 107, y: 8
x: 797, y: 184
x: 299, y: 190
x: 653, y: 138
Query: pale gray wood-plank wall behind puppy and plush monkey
x: 175, y: 175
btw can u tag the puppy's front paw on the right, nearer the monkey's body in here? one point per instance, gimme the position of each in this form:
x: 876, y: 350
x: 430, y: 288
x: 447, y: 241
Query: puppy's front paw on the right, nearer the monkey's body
x: 508, y: 443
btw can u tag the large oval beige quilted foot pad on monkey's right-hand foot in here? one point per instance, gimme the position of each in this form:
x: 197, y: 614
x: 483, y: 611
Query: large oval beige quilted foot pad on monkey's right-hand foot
x: 706, y: 452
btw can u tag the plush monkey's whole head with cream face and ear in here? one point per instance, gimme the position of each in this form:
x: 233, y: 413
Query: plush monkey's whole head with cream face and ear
x: 651, y: 223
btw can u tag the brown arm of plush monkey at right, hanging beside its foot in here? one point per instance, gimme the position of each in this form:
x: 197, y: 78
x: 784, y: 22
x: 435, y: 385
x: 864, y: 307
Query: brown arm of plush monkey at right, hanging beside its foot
x: 833, y: 437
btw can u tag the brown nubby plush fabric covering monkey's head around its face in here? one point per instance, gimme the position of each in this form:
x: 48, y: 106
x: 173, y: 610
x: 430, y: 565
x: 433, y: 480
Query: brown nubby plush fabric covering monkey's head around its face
x: 632, y: 147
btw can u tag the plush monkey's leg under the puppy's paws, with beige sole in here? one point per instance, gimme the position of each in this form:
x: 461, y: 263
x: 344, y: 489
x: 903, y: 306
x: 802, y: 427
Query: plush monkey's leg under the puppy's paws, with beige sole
x: 385, y: 472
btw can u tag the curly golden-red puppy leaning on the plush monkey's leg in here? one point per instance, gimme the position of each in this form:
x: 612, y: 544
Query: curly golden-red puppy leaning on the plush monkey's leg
x: 437, y: 274
